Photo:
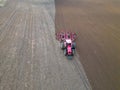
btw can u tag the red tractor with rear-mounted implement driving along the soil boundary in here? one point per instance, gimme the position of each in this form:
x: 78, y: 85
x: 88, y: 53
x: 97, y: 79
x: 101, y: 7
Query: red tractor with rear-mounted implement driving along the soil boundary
x: 67, y: 42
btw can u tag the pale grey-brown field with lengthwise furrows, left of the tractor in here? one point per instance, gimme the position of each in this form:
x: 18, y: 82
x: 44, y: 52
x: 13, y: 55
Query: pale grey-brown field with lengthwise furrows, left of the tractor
x: 30, y: 57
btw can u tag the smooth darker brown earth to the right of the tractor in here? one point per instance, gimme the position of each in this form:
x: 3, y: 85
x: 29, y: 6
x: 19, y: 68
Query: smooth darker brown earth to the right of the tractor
x: 97, y: 24
